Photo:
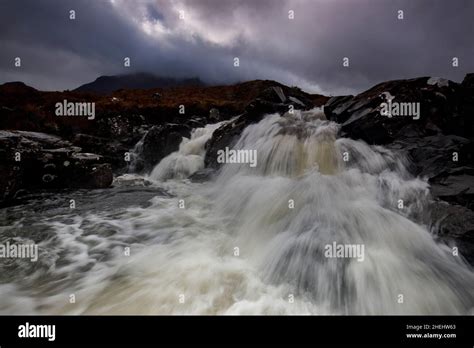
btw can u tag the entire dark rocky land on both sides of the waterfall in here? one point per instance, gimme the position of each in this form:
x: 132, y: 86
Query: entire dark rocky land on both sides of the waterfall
x: 39, y: 150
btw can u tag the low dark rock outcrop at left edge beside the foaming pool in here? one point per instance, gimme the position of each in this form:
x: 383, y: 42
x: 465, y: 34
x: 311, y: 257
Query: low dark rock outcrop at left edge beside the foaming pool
x: 31, y: 160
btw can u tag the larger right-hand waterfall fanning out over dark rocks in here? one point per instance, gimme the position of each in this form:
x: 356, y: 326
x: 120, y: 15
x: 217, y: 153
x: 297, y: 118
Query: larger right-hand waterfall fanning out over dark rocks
x: 303, y: 197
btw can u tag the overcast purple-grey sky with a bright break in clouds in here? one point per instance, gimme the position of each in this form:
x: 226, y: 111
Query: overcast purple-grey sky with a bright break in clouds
x: 58, y: 53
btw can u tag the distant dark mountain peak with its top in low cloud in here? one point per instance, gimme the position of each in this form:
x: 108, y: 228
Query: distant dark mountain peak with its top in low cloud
x: 109, y: 84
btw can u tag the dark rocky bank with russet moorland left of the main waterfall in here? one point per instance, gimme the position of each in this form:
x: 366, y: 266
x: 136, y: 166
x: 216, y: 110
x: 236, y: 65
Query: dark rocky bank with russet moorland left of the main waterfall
x: 39, y: 150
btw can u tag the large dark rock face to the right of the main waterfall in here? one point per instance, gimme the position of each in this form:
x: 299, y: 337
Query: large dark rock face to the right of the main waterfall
x: 439, y: 142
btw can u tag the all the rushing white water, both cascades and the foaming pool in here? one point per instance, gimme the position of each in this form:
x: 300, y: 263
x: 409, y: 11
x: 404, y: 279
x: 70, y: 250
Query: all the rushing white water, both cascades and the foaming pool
x: 252, y: 241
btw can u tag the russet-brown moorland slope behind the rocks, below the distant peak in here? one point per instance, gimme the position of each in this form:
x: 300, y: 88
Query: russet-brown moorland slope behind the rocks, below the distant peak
x: 25, y: 108
